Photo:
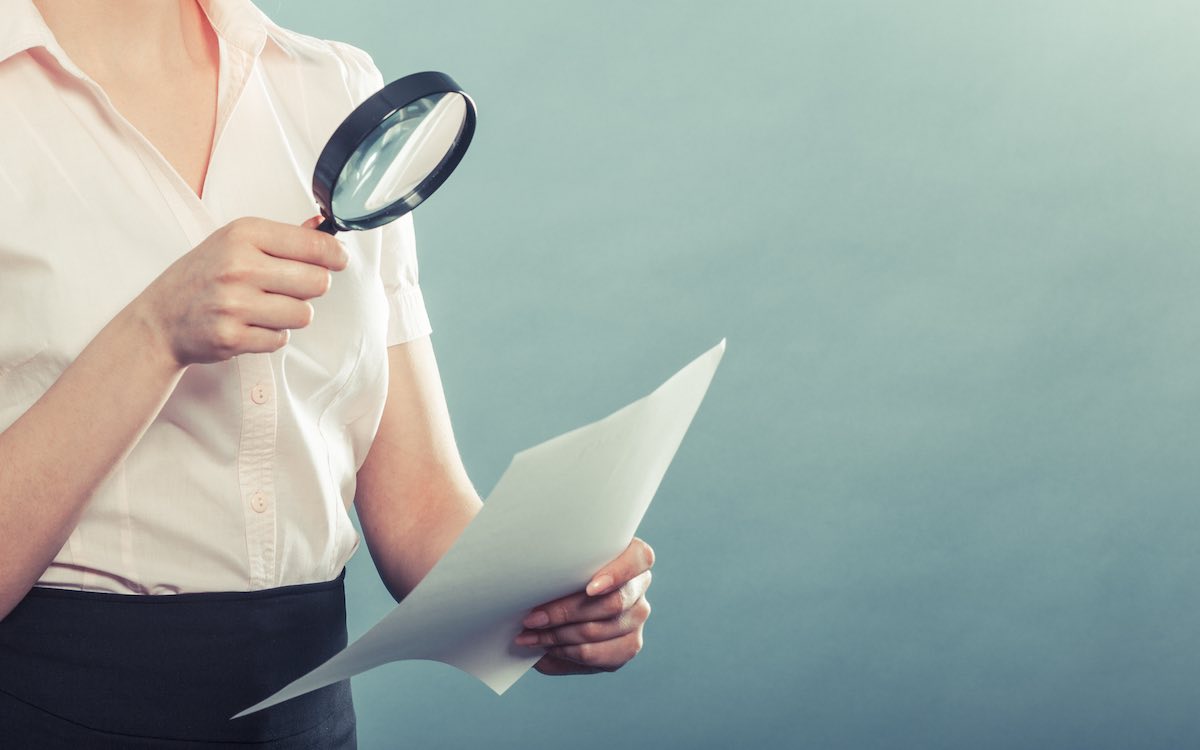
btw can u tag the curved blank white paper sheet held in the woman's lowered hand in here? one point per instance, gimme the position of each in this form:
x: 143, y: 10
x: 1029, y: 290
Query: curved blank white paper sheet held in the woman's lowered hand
x: 559, y: 514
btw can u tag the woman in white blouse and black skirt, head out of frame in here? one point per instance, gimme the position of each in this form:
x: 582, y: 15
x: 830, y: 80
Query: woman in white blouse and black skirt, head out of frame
x: 194, y: 389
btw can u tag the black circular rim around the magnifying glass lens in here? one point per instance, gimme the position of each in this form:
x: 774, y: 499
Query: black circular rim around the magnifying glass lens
x: 363, y: 122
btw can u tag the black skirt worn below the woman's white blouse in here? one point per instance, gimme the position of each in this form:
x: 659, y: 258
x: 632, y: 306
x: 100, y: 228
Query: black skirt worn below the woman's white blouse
x: 87, y: 670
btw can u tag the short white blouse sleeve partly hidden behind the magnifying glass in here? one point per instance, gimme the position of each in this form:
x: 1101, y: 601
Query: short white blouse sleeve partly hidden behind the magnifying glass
x: 407, y: 317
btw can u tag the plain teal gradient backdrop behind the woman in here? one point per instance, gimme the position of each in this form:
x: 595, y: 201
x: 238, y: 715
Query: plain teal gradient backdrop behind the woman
x: 944, y: 491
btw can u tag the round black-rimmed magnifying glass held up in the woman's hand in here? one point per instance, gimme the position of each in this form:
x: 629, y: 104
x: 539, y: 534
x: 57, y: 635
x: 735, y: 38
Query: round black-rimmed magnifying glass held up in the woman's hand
x: 393, y: 152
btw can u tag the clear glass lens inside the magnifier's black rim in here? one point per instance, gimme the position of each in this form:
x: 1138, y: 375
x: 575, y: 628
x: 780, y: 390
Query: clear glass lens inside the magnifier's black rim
x: 399, y: 155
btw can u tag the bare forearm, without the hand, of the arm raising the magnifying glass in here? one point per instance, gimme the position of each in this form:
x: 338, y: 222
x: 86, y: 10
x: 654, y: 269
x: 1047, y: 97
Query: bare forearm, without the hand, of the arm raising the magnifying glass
x: 67, y: 443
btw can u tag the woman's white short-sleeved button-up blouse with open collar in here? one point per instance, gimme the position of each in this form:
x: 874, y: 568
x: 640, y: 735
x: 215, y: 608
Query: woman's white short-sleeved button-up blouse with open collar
x: 245, y: 478
